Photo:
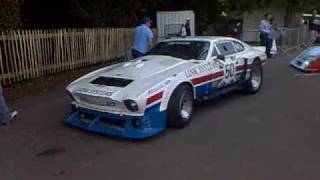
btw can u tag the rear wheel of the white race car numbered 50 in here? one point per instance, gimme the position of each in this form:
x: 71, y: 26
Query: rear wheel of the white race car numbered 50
x: 256, y: 70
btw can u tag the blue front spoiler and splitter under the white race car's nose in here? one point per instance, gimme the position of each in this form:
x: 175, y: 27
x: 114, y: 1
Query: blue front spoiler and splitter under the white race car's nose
x: 152, y: 123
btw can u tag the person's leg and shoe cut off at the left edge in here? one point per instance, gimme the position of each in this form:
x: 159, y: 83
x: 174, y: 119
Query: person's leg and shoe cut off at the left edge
x: 5, y: 116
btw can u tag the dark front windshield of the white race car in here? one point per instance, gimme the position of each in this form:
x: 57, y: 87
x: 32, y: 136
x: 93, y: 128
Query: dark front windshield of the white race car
x: 182, y: 49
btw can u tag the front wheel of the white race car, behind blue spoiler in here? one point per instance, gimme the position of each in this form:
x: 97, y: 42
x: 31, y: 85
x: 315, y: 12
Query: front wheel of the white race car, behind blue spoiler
x: 175, y: 117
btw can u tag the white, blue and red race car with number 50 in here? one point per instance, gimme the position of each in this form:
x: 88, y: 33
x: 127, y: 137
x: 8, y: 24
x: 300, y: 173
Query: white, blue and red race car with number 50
x: 140, y: 98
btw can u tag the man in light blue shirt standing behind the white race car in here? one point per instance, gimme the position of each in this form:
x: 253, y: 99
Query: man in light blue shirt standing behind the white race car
x: 143, y: 38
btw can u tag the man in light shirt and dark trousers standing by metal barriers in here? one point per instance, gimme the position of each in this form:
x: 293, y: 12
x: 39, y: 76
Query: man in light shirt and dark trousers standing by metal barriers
x: 265, y: 32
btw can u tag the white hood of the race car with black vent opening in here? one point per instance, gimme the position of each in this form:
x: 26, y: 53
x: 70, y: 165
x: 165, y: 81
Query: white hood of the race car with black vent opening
x: 130, y: 79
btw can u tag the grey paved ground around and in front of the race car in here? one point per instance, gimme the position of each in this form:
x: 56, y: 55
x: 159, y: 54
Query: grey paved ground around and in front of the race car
x: 268, y: 136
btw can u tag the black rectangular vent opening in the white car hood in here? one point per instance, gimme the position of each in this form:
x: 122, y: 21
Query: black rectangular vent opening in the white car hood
x: 108, y: 81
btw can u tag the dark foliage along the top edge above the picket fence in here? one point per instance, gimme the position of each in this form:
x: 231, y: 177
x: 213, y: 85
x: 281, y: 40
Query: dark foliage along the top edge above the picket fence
x: 126, y: 13
